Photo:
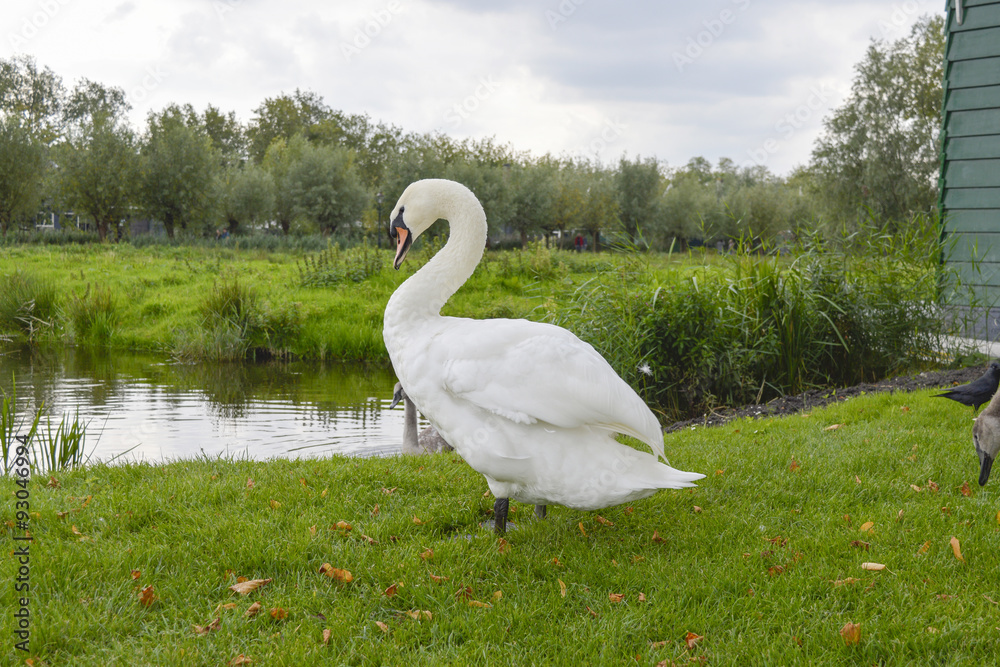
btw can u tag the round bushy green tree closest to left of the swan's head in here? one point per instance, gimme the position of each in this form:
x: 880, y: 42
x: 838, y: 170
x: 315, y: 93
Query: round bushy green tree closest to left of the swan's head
x: 326, y: 187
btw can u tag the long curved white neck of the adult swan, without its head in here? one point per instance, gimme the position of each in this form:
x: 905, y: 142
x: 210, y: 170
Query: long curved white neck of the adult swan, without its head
x: 424, y: 293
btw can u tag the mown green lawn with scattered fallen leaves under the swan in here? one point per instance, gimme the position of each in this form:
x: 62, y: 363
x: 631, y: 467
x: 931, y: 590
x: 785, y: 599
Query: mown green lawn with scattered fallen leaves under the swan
x: 760, y: 565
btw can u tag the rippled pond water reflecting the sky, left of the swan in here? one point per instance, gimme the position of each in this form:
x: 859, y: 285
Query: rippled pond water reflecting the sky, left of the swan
x: 148, y: 408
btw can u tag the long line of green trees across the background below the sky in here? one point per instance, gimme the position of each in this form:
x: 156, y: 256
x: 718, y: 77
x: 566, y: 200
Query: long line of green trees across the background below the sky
x: 300, y: 166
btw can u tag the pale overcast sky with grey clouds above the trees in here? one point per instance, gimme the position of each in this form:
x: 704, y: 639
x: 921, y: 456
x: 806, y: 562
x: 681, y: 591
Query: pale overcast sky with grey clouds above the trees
x: 746, y: 79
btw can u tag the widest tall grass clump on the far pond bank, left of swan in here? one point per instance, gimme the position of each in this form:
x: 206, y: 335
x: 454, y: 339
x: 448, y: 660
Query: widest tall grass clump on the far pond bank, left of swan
x: 237, y: 324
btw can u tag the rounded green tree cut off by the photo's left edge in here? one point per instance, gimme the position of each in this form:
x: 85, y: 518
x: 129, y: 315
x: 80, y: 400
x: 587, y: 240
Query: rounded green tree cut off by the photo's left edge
x: 22, y: 167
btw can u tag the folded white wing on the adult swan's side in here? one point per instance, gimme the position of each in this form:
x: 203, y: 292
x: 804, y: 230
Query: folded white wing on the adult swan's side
x: 531, y: 372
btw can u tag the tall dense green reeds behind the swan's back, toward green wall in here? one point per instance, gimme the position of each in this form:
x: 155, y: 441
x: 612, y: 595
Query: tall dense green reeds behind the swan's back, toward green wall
x: 764, y: 325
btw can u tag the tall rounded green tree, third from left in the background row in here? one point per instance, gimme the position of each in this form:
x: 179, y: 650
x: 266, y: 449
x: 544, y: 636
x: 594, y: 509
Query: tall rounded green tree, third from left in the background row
x: 179, y: 166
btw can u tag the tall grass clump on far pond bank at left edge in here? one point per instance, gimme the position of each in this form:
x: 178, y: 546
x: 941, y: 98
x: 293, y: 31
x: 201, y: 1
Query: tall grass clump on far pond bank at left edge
x: 28, y: 306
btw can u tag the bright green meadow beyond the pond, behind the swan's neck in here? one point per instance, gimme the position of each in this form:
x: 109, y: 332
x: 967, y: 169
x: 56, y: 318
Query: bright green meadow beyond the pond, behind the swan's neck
x: 157, y: 295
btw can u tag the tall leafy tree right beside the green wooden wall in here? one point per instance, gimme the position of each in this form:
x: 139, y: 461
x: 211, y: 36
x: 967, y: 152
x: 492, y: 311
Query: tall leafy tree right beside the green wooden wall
x: 880, y: 149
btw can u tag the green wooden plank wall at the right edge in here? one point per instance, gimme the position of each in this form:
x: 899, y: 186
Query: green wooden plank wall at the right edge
x: 970, y: 164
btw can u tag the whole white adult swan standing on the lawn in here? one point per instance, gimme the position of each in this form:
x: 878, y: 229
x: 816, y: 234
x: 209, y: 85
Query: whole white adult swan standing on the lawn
x: 528, y: 405
